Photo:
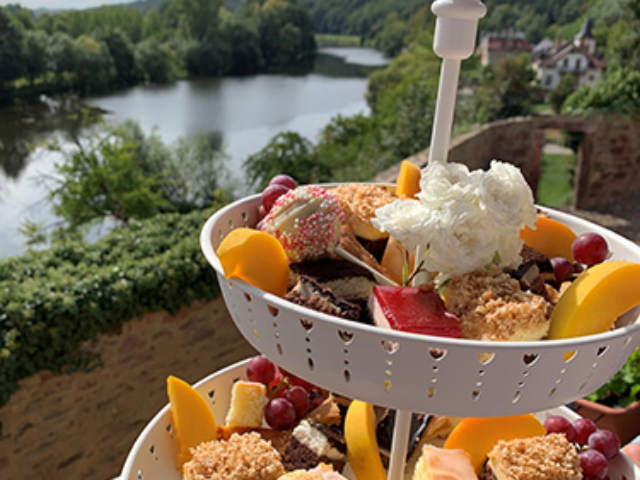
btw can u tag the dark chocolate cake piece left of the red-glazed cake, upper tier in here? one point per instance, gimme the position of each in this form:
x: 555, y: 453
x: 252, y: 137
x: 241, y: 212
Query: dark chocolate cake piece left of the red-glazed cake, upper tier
x: 310, y: 294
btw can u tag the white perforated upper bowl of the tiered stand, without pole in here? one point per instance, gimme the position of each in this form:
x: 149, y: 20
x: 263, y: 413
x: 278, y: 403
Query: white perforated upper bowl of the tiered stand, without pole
x: 414, y: 372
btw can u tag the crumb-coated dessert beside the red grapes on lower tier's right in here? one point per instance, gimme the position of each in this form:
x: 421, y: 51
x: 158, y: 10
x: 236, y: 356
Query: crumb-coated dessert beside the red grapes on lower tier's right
x: 550, y: 457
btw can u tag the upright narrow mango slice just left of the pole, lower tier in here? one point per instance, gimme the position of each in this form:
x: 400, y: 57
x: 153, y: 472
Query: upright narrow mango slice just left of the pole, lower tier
x: 362, y: 446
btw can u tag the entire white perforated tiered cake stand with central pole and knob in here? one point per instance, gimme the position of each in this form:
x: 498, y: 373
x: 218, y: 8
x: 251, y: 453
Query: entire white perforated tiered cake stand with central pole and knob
x: 410, y: 373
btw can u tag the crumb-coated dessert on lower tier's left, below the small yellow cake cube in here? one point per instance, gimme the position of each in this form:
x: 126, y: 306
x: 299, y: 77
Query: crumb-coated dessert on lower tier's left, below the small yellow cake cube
x: 242, y: 457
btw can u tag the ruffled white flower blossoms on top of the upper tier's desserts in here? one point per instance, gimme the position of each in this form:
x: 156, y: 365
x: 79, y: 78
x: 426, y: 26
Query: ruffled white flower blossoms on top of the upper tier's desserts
x: 463, y: 220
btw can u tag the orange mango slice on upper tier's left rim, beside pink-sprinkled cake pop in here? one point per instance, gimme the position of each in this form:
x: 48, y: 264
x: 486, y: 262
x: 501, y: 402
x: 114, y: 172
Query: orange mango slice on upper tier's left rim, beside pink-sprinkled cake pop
x: 255, y: 257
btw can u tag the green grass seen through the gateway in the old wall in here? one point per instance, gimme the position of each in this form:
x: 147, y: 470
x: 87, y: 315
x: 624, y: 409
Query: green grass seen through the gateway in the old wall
x: 556, y: 180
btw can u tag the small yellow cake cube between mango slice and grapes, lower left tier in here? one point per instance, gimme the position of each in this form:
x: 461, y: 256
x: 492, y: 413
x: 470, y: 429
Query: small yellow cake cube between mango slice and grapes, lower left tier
x: 248, y: 400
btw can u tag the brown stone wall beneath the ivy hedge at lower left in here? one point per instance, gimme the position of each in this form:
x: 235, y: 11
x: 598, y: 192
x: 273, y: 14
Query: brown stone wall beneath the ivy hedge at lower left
x: 82, y: 425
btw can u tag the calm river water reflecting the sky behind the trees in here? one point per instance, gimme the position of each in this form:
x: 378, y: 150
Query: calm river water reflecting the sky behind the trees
x: 245, y: 112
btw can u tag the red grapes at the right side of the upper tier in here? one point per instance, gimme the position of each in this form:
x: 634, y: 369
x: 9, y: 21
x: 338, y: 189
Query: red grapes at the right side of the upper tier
x: 587, y: 249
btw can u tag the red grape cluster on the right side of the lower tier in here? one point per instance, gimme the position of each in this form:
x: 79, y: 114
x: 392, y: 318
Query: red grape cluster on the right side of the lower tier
x: 596, y: 446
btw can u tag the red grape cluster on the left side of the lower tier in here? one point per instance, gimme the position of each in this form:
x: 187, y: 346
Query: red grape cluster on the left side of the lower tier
x: 290, y: 397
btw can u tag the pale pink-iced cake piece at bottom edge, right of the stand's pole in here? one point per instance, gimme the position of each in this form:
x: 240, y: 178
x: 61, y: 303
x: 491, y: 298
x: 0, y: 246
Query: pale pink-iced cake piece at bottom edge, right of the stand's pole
x: 440, y: 464
